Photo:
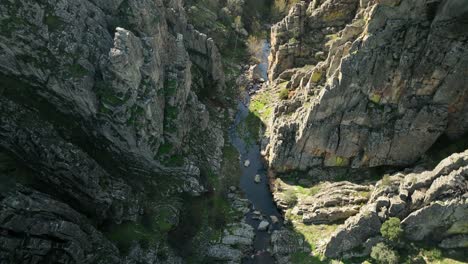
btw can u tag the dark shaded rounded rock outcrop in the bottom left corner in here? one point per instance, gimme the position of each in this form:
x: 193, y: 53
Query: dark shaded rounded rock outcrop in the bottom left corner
x: 35, y: 228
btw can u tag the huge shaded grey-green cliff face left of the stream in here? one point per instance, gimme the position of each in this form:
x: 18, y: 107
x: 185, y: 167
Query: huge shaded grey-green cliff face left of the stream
x: 96, y: 98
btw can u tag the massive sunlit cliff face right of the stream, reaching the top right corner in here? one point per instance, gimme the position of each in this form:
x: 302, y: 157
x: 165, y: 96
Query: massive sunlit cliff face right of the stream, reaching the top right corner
x: 371, y: 83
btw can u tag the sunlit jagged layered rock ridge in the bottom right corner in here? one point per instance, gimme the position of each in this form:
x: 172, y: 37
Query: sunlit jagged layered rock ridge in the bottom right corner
x: 432, y: 205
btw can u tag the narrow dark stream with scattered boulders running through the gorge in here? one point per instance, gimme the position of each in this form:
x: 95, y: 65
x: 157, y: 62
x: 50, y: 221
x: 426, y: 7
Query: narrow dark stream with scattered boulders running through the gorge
x: 258, y: 193
